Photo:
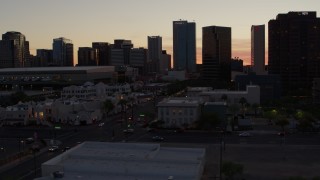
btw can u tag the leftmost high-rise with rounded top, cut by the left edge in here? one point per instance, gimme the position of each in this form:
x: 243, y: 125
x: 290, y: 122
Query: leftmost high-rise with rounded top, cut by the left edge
x: 14, y: 50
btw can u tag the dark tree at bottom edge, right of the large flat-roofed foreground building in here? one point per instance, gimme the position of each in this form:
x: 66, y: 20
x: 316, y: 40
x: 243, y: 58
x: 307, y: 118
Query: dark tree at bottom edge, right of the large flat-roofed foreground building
x: 231, y: 169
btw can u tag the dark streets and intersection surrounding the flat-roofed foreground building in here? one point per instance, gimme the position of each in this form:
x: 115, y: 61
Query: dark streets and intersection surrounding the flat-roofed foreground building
x: 264, y: 153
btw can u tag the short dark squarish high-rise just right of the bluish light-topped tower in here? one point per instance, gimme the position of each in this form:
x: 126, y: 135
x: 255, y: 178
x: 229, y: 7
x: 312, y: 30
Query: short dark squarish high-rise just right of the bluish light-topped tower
x: 87, y: 56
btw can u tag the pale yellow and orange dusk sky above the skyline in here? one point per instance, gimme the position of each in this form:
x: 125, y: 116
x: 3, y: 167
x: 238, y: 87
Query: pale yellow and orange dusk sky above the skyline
x: 86, y: 21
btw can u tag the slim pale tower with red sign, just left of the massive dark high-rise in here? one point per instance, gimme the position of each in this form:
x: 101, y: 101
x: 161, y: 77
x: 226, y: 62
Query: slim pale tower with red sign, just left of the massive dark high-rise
x: 258, y: 49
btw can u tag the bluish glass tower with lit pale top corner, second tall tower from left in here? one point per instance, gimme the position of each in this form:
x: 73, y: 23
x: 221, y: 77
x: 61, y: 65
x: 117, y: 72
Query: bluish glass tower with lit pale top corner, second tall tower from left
x: 62, y: 52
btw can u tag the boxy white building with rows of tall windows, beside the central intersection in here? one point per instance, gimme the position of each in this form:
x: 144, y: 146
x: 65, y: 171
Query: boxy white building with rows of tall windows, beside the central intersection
x: 179, y: 112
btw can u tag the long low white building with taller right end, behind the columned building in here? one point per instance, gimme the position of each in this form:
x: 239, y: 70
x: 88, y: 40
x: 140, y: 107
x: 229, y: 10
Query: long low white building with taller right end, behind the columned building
x: 252, y: 95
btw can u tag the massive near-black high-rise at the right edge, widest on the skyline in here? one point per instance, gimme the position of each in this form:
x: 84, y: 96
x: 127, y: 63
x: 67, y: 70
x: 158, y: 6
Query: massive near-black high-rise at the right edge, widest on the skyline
x: 294, y: 44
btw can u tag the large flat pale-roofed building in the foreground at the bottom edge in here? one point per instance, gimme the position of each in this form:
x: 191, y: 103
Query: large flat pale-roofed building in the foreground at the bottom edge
x: 130, y: 161
